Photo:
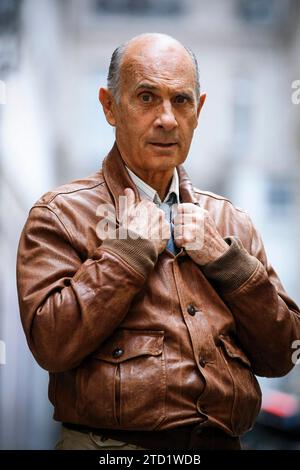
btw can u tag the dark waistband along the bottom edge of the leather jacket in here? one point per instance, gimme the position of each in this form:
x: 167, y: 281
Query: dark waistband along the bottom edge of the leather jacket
x: 184, y: 437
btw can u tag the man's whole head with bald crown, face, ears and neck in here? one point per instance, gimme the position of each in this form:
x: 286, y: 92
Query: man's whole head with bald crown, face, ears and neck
x: 157, y: 110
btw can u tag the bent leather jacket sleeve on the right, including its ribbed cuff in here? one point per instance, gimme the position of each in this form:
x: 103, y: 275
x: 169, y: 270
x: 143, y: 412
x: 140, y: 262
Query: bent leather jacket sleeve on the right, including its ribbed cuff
x: 267, y: 320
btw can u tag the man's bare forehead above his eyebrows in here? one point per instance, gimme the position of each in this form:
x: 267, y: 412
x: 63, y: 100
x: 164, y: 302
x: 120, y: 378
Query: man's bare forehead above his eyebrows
x: 169, y: 67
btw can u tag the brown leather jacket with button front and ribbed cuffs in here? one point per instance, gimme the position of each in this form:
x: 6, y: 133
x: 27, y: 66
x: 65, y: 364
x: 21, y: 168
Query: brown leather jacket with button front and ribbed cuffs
x: 136, y: 341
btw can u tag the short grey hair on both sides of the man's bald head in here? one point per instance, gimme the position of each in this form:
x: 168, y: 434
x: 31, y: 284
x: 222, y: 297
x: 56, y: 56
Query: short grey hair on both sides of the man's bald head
x: 113, y: 77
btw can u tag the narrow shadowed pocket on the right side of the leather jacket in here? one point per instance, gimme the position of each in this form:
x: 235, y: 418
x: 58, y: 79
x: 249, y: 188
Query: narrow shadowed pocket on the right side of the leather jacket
x: 246, y: 397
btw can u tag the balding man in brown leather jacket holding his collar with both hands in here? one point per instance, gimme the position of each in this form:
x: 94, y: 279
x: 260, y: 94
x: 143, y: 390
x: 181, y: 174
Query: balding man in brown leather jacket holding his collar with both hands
x: 153, y: 325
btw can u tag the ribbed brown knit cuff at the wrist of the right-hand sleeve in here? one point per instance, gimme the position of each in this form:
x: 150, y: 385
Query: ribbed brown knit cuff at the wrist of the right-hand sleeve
x: 232, y: 269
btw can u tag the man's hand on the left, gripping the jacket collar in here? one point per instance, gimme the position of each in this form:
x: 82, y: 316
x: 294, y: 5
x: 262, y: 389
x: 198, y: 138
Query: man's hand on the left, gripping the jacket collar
x: 146, y: 220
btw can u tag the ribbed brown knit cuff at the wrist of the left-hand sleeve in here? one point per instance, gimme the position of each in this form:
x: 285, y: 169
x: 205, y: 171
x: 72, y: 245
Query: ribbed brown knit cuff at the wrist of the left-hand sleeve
x: 137, y: 252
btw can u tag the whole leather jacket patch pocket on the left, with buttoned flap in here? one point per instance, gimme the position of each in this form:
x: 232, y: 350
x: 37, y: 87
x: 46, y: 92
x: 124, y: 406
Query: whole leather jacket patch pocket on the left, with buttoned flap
x: 123, y: 384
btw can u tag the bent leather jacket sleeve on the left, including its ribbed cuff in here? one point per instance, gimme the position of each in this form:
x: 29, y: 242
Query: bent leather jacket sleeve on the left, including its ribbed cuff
x: 69, y: 306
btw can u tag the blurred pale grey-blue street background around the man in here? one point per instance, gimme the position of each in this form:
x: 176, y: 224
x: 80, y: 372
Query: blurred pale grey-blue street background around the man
x: 54, y: 55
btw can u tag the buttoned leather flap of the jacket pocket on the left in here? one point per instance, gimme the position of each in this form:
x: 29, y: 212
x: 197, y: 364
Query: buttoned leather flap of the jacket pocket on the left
x: 126, y: 344
